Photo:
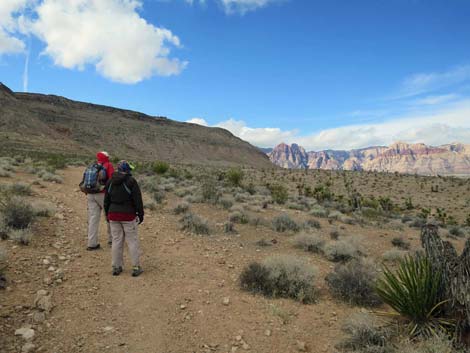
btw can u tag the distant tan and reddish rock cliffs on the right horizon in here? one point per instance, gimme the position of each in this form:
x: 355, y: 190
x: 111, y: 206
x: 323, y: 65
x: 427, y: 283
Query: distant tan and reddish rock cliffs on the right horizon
x: 399, y: 157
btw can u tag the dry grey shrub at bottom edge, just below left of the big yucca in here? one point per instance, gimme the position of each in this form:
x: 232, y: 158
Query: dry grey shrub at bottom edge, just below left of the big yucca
x: 366, y: 335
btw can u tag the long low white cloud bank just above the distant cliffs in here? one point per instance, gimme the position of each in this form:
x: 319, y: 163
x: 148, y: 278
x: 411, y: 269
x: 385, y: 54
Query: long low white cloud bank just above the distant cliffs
x: 448, y: 125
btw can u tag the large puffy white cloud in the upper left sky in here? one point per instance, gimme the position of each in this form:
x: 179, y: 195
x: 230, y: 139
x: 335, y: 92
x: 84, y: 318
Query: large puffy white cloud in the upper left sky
x: 107, y: 34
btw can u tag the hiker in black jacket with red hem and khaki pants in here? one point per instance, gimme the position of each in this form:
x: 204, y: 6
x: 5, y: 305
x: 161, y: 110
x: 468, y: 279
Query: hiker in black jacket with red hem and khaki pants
x: 124, y: 211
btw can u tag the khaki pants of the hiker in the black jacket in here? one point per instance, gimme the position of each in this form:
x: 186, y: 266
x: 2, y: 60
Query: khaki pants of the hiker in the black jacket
x: 125, y: 231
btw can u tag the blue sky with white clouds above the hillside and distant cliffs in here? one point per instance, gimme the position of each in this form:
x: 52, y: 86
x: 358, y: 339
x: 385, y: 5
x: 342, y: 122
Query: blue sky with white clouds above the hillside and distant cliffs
x: 325, y: 74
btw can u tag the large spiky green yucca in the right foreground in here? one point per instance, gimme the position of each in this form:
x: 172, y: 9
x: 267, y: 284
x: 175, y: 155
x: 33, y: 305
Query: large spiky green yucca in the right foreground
x: 414, y: 292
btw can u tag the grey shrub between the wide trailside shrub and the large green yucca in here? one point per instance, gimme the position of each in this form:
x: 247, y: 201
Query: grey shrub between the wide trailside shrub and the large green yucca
x: 354, y: 282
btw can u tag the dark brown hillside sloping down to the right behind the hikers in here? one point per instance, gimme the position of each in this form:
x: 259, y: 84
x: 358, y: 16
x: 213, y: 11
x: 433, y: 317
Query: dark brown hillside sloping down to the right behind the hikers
x: 37, y: 122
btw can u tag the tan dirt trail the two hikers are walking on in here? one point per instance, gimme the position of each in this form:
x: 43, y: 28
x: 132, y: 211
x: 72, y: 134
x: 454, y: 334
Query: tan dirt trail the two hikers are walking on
x: 177, y: 304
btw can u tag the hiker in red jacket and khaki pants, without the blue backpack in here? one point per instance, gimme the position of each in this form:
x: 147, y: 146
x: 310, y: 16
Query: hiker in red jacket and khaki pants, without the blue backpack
x: 95, y: 204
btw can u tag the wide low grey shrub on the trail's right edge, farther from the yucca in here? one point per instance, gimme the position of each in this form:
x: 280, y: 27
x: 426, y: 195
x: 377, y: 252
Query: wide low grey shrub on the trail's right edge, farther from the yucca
x: 281, y: 276
